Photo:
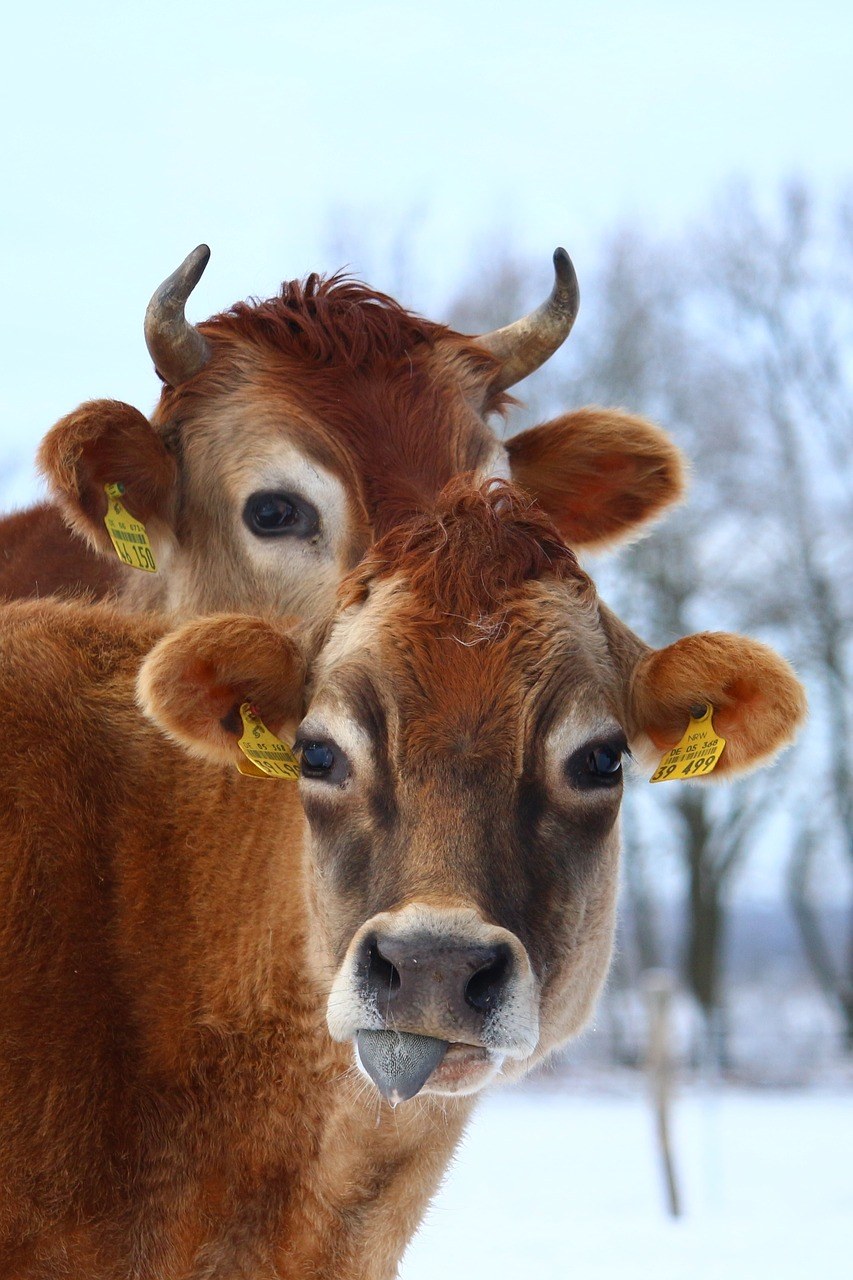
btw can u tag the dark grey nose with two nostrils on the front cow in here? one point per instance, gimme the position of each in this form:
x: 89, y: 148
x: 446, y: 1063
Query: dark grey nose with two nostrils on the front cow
x: 436, y: 985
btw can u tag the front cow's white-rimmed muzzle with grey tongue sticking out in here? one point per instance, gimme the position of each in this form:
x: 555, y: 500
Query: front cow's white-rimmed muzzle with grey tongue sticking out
x: 436, y: 999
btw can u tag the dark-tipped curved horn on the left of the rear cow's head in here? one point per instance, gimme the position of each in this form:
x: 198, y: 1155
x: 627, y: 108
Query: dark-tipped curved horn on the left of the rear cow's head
x: 177, y: 349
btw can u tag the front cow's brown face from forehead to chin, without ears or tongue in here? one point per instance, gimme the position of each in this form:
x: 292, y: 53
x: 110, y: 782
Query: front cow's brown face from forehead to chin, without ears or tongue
x: 468, y: 880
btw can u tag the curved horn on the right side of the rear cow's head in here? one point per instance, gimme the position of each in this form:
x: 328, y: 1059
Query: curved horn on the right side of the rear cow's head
x: 530, y: 342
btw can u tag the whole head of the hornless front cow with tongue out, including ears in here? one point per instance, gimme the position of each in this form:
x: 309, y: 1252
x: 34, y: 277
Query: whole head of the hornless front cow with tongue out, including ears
x: 462, y: 725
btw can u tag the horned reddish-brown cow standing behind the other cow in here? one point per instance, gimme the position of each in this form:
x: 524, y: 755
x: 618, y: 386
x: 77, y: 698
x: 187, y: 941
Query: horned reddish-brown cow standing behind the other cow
x: 293, y: 432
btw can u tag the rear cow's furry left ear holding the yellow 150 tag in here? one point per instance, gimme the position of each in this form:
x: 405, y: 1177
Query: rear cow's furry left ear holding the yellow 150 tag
x: 108, y: 442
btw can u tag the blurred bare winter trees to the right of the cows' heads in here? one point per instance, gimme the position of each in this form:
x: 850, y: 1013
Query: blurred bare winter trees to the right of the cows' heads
x: 741, y: 345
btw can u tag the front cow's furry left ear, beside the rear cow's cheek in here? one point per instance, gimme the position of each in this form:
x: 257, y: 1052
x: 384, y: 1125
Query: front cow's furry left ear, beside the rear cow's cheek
x: 194, y: 682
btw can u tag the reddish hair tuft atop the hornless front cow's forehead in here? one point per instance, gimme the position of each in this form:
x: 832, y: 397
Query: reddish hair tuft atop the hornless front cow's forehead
x: 471, y: 555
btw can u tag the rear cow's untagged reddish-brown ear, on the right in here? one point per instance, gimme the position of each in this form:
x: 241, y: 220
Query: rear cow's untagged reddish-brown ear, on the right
x: 600, y: 474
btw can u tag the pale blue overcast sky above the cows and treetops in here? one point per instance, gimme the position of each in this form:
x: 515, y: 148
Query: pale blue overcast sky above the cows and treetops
x: 133, y: 132
